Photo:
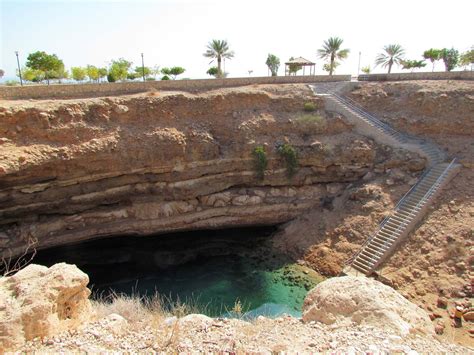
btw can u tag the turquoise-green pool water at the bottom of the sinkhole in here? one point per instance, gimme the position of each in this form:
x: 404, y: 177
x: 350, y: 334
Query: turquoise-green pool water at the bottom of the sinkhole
x: 215, y: 284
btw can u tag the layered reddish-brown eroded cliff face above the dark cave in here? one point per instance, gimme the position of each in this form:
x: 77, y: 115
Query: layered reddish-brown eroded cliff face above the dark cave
x: 74, y: 170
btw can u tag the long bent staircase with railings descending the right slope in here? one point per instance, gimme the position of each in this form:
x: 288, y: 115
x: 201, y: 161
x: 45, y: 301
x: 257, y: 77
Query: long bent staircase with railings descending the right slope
x: 412, y: 206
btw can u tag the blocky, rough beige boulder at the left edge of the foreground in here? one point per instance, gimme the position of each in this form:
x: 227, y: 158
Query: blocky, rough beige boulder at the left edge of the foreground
x: 38, y: 301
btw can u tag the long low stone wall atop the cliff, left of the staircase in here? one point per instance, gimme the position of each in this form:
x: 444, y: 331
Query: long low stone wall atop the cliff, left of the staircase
x: 65, y: 91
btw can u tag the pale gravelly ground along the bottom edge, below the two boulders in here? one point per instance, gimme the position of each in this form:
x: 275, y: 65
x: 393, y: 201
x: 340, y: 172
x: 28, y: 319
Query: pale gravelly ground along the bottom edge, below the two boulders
x: 197, y: 333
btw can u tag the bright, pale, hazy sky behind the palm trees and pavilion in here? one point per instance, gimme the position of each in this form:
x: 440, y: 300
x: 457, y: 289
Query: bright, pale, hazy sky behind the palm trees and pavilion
x: 176, y: 32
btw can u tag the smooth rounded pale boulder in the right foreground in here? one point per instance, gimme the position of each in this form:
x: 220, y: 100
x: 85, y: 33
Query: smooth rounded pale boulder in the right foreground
x: 361, y: 300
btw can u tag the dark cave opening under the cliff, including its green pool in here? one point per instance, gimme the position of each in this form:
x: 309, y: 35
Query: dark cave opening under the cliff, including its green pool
x: 214, y: 270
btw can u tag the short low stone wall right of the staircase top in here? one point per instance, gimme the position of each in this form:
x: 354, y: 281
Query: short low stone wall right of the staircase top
x: 454, y: 75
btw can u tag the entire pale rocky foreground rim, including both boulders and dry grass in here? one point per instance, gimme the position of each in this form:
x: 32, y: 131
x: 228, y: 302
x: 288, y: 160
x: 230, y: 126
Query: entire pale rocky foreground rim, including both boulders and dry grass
x: 361, y: 315
